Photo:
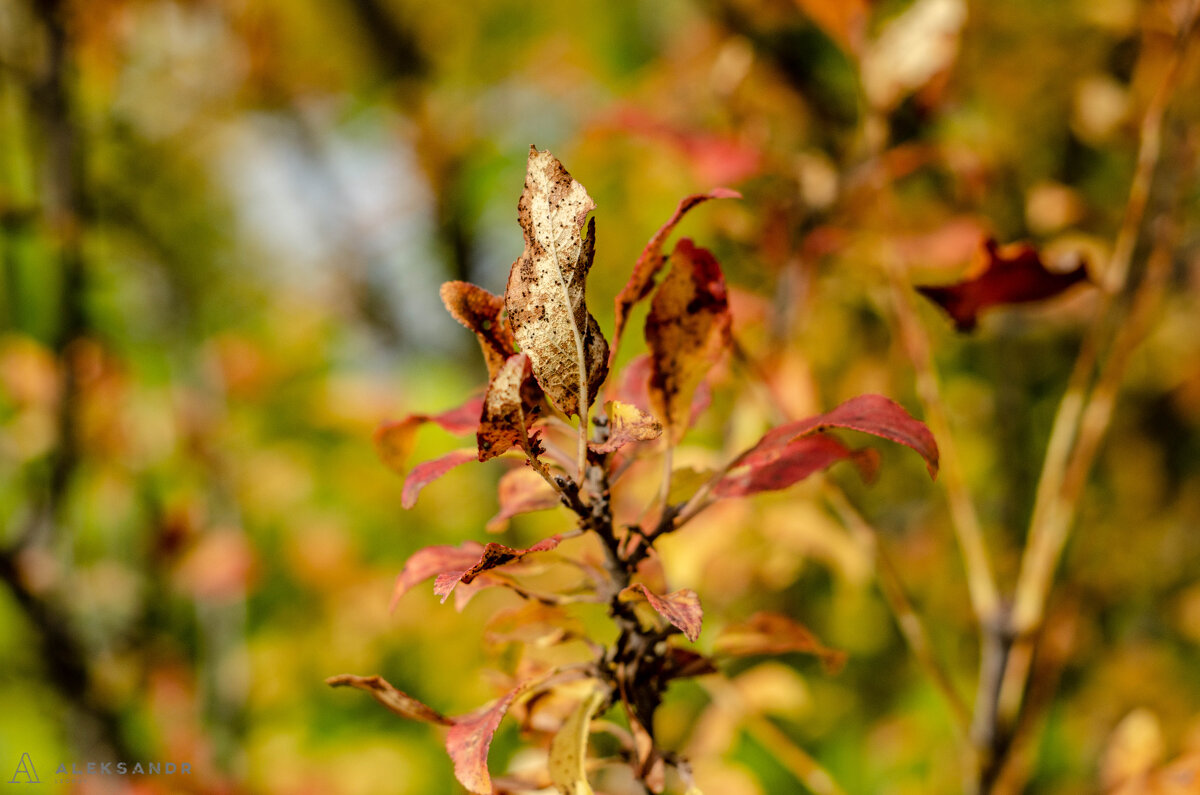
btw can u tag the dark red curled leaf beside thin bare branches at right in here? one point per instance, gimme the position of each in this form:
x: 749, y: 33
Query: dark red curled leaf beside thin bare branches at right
x: 1011, y: 274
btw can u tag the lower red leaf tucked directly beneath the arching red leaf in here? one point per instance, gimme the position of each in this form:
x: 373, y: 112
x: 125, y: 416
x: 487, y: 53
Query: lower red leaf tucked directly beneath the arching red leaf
x: 781, y: 468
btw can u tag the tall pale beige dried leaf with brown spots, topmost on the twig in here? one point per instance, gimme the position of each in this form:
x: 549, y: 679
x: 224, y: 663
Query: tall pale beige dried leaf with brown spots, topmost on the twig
x: 545, y: 296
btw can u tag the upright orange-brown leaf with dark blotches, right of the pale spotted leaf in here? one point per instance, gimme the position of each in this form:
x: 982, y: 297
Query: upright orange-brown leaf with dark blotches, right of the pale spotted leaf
x: 687, y: 331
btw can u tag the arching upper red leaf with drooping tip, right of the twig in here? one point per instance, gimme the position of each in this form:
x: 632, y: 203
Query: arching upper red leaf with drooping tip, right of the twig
x: 873, y: 415
